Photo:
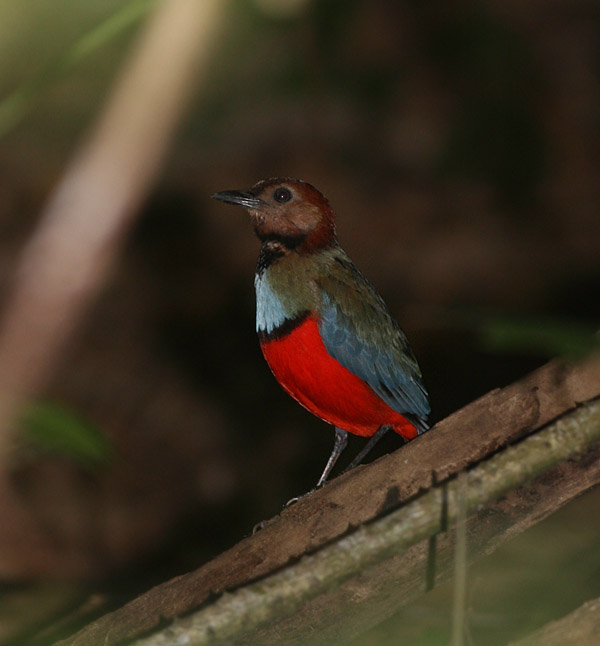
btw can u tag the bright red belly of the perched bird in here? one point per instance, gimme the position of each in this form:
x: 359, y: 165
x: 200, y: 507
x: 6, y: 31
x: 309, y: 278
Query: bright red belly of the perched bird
x: 304, y: 368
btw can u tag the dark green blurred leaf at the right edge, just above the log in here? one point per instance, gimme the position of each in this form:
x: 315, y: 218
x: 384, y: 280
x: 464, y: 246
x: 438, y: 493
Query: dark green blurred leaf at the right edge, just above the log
x: 546, y: 336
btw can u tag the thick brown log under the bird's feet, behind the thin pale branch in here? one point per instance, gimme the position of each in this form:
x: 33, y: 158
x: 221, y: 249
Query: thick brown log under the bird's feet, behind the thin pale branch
x: 463, y: 439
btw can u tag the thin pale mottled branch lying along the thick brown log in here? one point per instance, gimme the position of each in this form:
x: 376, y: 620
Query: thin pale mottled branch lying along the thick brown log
x: 241, y: 613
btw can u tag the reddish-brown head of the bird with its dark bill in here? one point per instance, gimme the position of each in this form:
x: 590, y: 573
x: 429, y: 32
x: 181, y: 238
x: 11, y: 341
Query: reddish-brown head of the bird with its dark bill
x: 287, y: 211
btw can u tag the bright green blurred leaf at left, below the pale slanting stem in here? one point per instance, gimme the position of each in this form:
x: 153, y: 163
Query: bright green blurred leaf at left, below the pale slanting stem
x: 56, y: 429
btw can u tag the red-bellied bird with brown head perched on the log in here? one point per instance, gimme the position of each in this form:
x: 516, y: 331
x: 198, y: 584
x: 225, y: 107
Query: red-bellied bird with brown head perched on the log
x: 326, y: 334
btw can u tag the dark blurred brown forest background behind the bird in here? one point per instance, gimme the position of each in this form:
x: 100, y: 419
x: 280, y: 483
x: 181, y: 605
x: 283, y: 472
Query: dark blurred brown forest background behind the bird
x: 458, y: 143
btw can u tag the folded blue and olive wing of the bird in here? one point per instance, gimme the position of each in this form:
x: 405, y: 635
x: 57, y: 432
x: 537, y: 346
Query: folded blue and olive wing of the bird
x: 359, y: 332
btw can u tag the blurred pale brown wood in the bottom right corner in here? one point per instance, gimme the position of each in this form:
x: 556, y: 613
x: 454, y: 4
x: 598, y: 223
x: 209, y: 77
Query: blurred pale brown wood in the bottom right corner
x: 581, y: 627
